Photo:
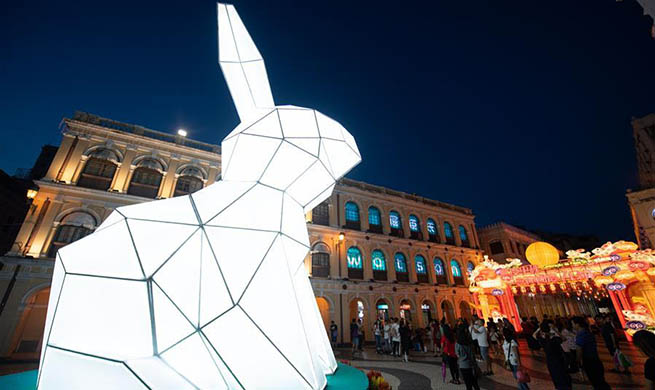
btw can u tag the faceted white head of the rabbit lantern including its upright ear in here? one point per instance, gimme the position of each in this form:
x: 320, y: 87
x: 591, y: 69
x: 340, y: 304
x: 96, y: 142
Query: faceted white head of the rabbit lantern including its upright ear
x: 294, y: 149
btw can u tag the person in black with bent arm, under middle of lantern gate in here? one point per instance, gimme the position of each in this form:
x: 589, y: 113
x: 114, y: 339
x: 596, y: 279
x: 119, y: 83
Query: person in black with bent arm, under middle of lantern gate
x: 551, y: 342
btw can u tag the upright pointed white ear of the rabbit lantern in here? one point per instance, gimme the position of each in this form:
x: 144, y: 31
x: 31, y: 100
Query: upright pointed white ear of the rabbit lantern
x: 242, y: 65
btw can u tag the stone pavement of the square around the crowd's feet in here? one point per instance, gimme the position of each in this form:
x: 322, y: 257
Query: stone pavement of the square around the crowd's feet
x: 423, y: 371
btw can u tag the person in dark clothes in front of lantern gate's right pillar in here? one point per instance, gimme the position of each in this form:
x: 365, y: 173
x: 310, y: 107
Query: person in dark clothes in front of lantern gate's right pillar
x: 587, y: 354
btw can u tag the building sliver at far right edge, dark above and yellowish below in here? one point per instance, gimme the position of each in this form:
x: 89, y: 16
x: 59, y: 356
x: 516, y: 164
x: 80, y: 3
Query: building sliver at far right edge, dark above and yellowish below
x: 642, y: 201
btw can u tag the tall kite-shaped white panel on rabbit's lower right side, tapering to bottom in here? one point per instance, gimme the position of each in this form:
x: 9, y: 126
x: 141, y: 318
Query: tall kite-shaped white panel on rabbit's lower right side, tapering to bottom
x: 256, y: 302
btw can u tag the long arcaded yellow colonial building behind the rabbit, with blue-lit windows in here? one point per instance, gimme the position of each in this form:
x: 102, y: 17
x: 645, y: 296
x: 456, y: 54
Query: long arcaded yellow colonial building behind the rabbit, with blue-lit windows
x: 375, y: 251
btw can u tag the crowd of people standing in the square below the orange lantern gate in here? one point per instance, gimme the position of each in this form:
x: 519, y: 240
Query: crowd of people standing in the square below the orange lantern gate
x: 568, y: 344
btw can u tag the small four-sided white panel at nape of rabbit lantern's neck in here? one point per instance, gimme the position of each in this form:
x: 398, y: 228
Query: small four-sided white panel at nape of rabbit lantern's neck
x: 212, y: 200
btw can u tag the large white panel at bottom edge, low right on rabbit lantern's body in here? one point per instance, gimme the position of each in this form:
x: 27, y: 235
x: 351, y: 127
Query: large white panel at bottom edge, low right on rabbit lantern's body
x: 273, y: 370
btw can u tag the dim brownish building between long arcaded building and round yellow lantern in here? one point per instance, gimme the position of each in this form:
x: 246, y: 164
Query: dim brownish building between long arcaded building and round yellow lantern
x: 501, y: 241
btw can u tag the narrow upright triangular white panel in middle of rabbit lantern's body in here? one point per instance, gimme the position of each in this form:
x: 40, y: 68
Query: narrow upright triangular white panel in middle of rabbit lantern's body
x: 215, y: 298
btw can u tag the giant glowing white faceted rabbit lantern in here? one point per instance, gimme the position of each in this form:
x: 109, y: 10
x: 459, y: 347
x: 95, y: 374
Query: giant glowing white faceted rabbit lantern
x: 207, y: 291
